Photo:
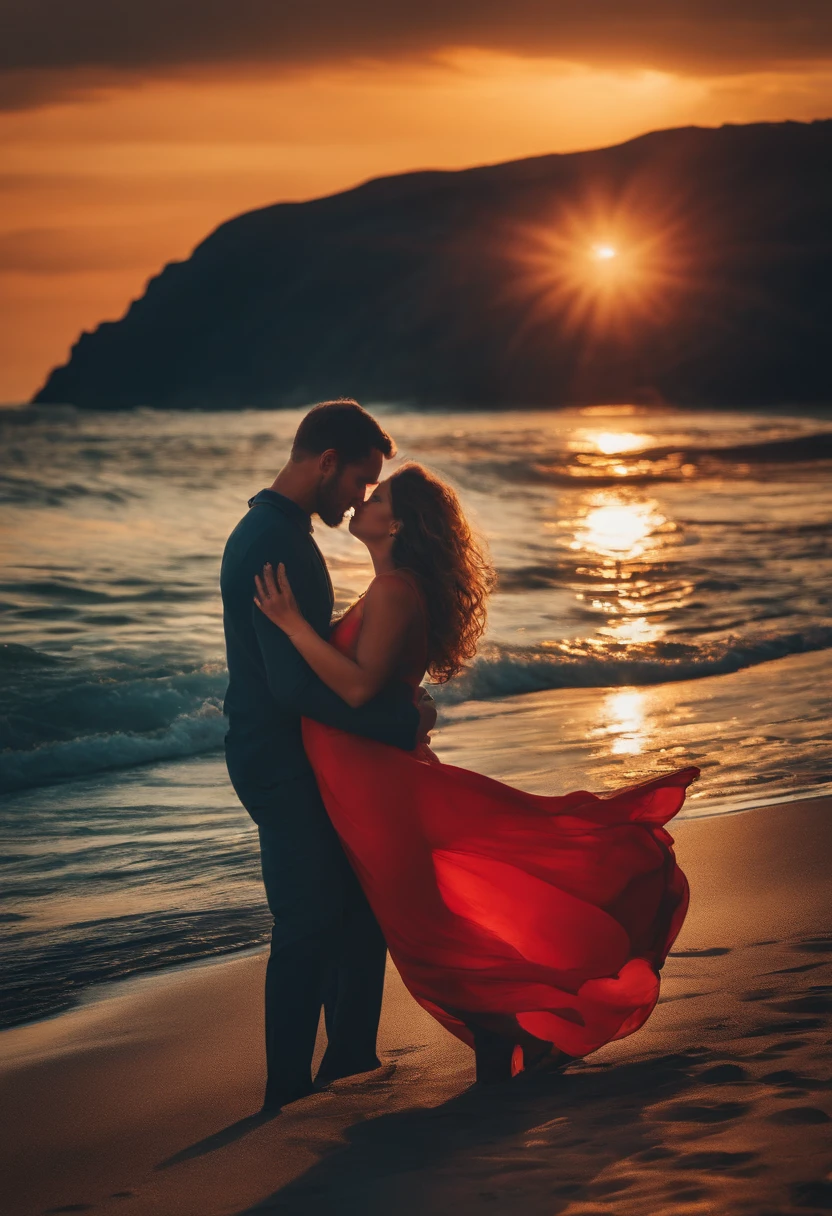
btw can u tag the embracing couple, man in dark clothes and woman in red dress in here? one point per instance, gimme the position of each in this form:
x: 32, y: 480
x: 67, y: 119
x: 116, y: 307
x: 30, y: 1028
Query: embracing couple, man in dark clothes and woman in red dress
x: 531, y: 927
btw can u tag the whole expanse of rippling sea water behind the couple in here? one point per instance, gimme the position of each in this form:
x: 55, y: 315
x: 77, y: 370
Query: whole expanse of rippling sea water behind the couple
x: 664, y: 600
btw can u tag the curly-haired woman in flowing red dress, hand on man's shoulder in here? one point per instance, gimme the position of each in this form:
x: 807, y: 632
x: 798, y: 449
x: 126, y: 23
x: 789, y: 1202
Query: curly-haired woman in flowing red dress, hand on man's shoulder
x: 533, y: 928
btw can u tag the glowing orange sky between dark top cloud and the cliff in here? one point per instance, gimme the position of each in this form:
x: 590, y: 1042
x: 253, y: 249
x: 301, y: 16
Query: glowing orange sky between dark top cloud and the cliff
x: 109, y: 174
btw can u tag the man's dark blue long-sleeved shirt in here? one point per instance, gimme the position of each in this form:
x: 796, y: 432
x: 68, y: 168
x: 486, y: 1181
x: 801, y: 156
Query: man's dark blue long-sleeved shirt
x: 271, y: 686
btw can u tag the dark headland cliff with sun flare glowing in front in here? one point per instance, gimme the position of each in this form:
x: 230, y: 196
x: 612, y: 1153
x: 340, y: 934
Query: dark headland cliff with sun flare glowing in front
x: 479, y: 288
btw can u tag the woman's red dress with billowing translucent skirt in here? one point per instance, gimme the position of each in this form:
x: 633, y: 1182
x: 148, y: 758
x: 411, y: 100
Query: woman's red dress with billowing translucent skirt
x: 502, y: 909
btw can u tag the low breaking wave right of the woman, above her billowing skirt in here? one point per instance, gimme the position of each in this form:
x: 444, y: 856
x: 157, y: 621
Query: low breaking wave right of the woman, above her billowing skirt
x: 507, y: 672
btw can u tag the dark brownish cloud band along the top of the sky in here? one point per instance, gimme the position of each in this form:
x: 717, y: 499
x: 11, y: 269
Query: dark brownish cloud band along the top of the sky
x: 50, y: 47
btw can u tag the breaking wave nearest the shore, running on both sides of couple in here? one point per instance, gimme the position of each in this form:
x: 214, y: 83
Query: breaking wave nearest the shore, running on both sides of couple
x: 142, y: 720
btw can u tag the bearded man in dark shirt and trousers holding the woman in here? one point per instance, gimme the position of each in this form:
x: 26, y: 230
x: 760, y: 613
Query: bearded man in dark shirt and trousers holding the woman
x: 327, y: 948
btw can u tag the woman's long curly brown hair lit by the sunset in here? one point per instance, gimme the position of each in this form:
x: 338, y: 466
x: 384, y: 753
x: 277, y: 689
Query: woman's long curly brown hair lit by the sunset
x: 436, y: 543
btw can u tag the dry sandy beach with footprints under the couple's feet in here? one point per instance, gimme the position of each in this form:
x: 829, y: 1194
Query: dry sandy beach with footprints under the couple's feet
x: 139, y: 1102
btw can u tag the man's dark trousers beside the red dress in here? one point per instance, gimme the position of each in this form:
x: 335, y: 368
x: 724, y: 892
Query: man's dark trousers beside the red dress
x: 327, y: 950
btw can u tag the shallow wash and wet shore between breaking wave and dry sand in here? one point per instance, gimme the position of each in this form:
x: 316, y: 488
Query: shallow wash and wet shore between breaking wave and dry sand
x: 184, y: 853
